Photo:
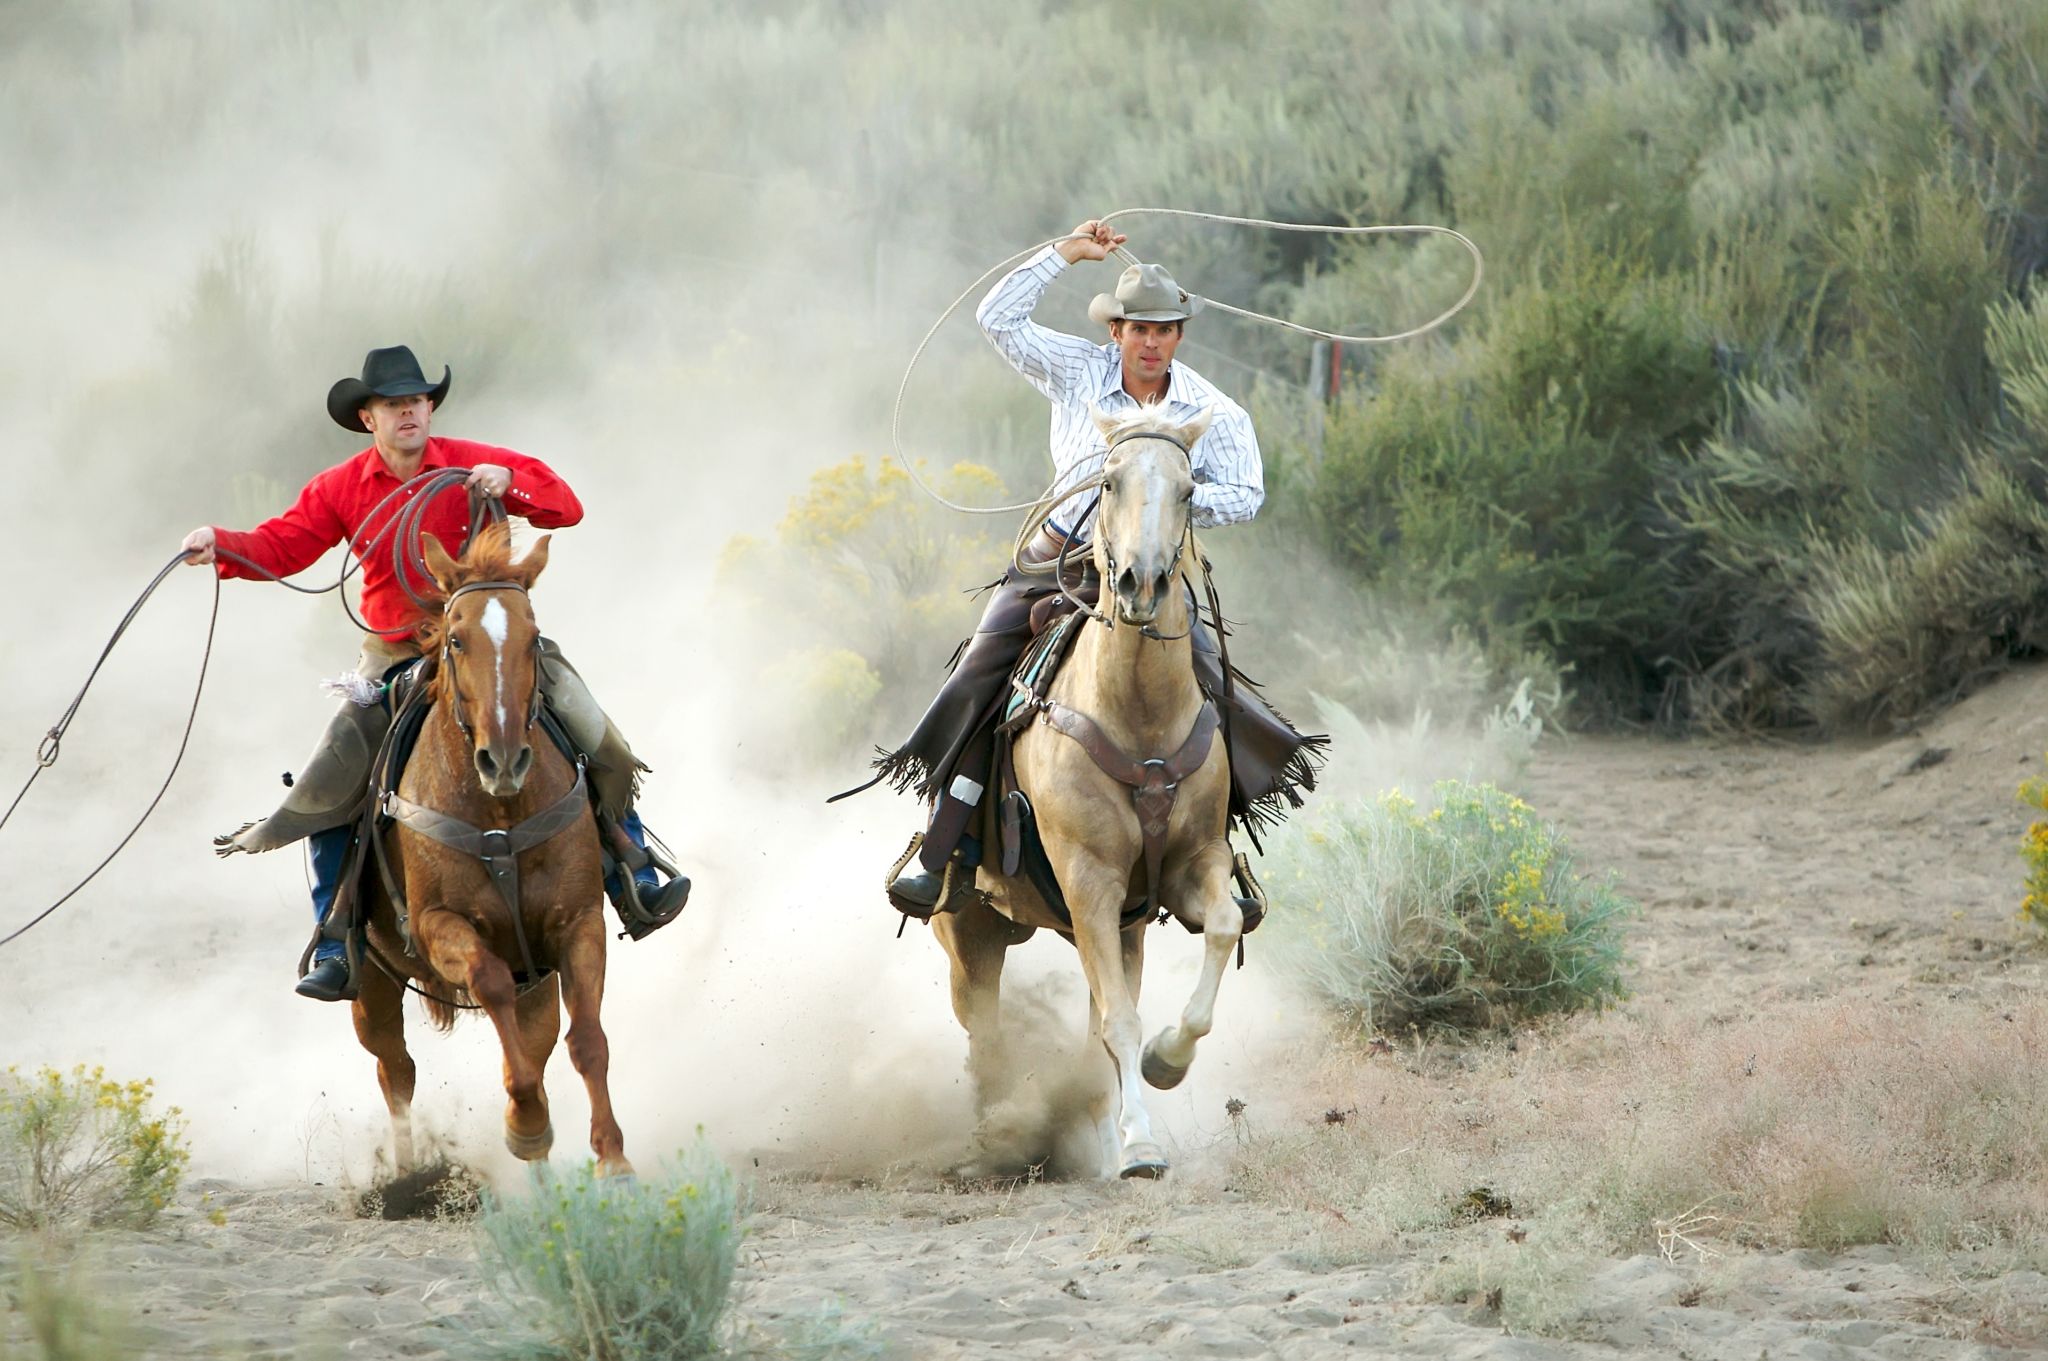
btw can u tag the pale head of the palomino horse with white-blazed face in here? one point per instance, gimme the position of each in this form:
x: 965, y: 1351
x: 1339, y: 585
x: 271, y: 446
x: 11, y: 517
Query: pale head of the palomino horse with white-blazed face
x: 1148, y: 496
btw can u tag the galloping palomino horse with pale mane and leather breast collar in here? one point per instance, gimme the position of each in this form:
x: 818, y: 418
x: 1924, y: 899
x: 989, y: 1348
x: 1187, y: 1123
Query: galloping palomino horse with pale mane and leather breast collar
x: 1125, y: 697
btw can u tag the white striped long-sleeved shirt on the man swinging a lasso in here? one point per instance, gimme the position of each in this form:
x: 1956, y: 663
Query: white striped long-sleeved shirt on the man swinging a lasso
x: 1230, y: 482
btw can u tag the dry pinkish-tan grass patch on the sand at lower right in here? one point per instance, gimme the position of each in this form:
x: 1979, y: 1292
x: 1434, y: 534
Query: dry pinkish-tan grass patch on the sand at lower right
x: 1826, y: 1129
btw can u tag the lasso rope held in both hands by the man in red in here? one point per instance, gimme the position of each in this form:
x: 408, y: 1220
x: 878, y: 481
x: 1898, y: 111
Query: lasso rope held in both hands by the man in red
x: 404, y: 529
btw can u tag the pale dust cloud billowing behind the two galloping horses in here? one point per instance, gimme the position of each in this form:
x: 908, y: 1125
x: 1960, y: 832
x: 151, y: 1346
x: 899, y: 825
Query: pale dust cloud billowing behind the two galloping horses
x: 656, y: 259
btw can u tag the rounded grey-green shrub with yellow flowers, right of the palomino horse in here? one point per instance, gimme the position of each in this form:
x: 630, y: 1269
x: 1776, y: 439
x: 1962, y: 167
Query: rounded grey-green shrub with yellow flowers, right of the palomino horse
x: 1463, y: 916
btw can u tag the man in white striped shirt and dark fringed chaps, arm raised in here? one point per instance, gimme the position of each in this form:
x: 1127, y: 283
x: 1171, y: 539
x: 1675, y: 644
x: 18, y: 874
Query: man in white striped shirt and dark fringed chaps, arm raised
x: 949, y: 754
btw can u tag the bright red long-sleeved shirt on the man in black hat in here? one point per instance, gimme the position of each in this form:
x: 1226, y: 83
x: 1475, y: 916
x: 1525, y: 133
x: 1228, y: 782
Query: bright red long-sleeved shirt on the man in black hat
x: 339, y: 502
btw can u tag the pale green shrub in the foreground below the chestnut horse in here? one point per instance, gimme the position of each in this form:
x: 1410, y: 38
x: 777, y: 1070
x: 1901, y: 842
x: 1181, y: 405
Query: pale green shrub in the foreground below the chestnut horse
x: 613, y: 1270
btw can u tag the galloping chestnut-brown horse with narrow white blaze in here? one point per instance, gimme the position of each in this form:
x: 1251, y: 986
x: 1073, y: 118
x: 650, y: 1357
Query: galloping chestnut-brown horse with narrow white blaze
x: 480, y: 766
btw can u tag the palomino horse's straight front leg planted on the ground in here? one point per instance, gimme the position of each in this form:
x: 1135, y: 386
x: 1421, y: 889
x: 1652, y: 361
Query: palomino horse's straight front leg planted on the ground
x: 1097, y: 897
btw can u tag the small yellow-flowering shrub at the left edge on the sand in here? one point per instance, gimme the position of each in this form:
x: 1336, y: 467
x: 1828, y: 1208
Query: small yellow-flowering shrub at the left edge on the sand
x: 81, y: 1149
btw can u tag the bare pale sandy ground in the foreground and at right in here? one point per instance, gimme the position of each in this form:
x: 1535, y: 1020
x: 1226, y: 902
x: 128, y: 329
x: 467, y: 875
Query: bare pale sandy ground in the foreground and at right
x: 1770, y: 877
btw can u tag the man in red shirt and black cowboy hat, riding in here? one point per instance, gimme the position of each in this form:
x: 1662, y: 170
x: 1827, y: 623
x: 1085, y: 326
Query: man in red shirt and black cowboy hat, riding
x: 394, y: 404
